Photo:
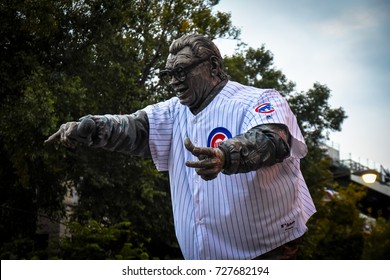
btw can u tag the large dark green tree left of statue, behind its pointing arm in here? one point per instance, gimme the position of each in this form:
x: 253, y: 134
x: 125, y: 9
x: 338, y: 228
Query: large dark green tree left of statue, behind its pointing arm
x: 64, y: 59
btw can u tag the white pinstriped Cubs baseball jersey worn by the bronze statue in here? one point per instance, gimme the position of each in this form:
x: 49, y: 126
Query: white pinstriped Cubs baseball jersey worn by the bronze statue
x: 237, y: 216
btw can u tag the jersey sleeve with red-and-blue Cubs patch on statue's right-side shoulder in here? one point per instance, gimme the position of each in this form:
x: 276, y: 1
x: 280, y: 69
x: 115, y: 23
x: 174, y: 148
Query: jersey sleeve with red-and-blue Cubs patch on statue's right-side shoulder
x: 271, y: 107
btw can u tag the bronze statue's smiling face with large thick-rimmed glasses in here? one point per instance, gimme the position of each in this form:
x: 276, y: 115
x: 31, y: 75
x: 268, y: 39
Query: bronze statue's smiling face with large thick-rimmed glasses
x: 190, y: 77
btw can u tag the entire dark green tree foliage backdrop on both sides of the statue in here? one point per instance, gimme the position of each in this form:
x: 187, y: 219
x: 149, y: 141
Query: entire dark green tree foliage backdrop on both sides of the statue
x: 60, y: 60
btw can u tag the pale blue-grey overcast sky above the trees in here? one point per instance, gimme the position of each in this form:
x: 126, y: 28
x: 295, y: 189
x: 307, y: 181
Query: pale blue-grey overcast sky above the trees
x: 344, y: 44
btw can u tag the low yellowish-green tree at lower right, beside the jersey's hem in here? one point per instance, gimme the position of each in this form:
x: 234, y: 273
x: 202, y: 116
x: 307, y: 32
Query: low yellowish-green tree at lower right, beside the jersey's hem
x: 336, y: 230
